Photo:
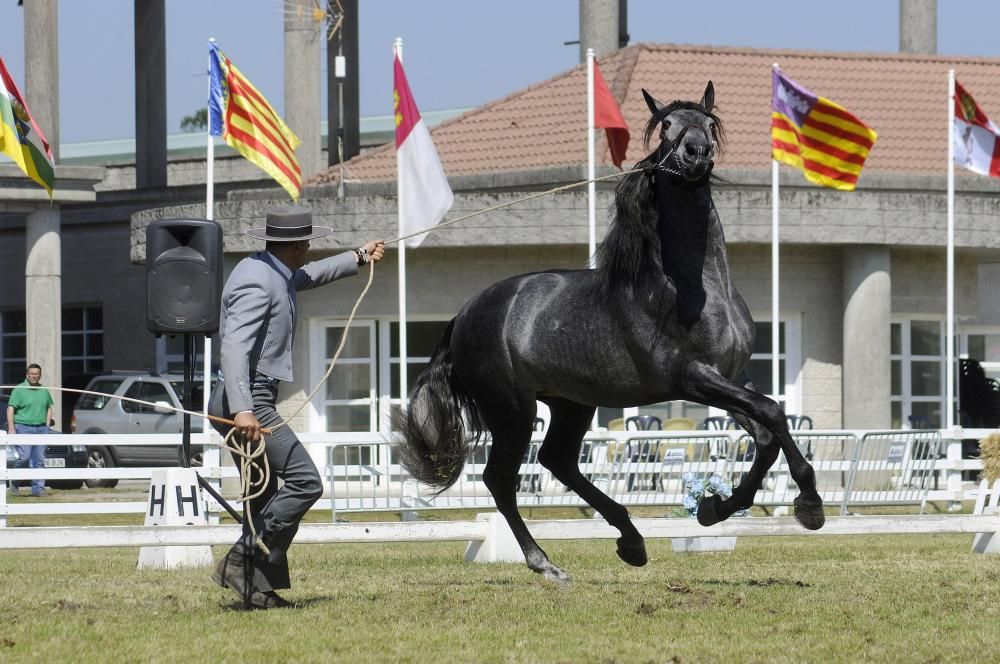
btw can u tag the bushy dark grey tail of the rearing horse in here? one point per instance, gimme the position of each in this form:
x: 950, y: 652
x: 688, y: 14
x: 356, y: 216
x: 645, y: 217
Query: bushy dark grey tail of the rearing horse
x: 431, y: 437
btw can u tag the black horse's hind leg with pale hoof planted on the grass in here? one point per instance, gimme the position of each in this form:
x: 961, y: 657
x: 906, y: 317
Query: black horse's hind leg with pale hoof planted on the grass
x: 511, y: 431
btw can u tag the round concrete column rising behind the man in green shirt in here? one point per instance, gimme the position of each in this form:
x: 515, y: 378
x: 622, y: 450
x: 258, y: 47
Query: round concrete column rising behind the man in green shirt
x: 43, y: 297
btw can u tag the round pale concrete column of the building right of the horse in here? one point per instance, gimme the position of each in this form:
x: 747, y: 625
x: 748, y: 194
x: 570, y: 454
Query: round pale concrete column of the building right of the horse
x: 867, y: 319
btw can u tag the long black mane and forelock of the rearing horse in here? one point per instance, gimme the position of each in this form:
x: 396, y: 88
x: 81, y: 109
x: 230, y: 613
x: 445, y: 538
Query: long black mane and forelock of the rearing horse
x: 631, y: 246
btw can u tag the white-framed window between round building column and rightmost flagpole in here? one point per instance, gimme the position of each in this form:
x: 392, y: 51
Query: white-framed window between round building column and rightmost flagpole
x: 917, y: 367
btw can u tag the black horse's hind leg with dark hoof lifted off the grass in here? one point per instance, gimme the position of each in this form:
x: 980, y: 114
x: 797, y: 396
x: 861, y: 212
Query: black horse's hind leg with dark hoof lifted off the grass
x: 560, y: 453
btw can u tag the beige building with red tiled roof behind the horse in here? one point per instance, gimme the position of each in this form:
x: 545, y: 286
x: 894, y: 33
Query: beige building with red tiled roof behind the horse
x: 863, y: 273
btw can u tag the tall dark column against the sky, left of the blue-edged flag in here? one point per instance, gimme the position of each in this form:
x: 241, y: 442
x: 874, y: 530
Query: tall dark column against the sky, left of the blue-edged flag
x: 150, y: 94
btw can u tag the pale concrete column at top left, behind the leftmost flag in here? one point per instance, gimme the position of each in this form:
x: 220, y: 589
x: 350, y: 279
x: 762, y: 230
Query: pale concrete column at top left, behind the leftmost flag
x: 41, y: 67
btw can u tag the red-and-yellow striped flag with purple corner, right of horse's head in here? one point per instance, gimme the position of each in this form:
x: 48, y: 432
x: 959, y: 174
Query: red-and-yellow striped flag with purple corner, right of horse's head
x: 817, y: 135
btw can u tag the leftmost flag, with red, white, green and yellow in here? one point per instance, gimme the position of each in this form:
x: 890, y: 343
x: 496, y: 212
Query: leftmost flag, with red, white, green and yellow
x: 21, y: 139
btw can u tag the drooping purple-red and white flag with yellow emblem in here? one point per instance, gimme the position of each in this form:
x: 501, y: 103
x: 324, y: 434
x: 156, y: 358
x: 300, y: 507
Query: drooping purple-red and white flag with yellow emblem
x: 424, y: 193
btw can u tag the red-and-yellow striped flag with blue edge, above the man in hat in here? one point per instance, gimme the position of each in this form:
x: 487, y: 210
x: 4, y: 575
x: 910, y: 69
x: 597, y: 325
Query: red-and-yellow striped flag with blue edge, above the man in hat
x: 248, y: 124
